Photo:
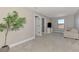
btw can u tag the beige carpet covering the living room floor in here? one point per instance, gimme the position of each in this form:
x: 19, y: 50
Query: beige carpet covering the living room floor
x: 54, y: 42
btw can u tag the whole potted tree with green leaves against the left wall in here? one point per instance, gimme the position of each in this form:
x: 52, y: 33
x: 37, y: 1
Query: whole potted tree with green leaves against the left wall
x: 12, y: 22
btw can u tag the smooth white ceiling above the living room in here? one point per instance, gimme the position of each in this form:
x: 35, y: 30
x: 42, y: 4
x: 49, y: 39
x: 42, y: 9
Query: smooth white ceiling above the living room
x: 55, y: 11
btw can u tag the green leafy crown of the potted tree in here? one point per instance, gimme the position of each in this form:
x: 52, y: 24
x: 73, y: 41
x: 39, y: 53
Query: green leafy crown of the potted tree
x: 13, y: 21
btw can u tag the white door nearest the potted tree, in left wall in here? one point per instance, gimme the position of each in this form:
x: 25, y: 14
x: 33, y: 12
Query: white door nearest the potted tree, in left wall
x: 38, y: 31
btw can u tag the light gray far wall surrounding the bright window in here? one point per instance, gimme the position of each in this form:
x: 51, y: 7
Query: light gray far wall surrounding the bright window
x: 69, y: 22
